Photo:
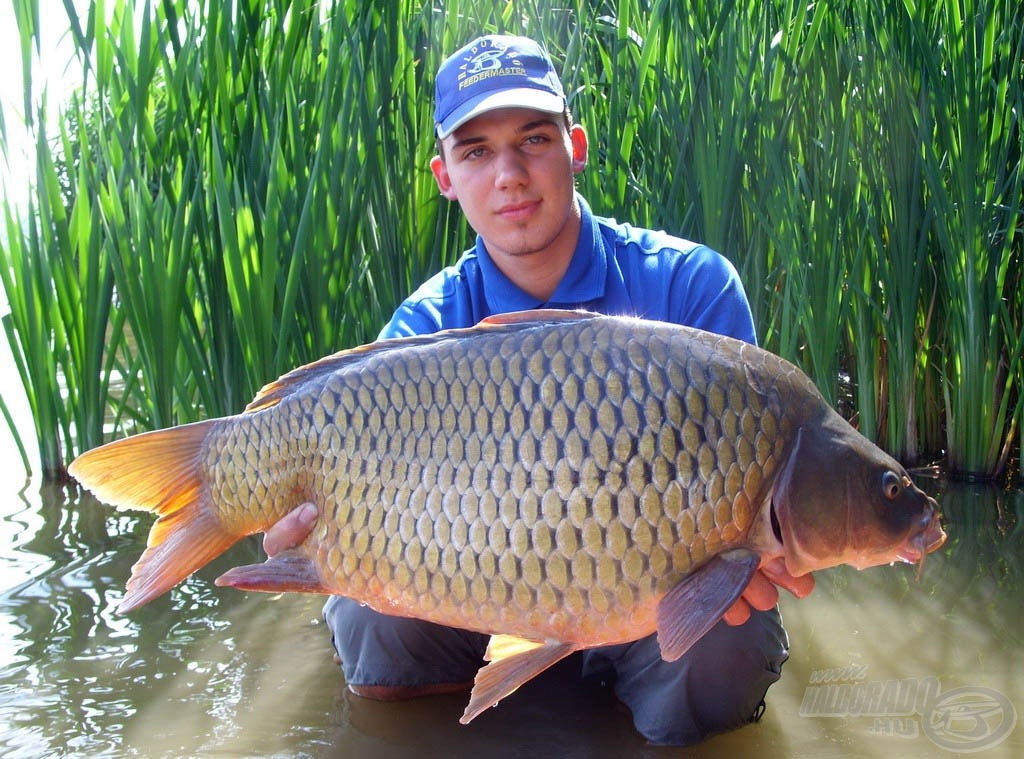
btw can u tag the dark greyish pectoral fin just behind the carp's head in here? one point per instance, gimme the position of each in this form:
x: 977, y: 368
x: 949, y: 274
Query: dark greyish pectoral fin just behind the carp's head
x: 697, y: 604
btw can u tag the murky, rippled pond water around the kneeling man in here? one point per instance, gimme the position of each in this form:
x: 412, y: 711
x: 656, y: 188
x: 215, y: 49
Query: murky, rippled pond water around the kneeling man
x: 207, y: 671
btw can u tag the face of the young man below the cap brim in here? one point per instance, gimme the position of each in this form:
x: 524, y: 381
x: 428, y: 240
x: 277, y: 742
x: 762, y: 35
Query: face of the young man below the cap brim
x: 511, y: 172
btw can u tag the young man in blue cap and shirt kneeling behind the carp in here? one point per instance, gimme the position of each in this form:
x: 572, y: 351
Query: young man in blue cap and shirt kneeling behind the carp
x: 508, y: 153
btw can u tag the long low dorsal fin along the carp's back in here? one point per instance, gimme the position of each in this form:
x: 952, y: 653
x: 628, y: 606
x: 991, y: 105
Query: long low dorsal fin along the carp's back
x: 276, y: 392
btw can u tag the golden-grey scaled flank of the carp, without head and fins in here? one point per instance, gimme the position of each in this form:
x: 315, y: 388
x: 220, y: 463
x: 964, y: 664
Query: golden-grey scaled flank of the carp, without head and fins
x: 552, y: 476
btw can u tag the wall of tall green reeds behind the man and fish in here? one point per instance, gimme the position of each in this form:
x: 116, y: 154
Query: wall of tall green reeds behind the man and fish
x: 242, y: 188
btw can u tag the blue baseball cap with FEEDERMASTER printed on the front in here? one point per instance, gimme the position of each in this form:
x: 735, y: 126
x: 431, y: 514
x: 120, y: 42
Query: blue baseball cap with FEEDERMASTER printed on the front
x: 495, y: 72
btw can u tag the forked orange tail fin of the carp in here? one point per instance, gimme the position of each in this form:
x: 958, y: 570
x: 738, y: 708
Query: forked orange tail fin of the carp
x: 160, y: 472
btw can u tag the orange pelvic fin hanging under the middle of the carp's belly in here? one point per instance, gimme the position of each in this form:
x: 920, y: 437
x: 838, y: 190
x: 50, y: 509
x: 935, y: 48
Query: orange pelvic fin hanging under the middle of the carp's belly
x: 504, y: 676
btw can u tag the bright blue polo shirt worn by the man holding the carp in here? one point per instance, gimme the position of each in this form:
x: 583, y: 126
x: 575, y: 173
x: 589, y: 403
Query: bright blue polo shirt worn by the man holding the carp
x: 616, y: 270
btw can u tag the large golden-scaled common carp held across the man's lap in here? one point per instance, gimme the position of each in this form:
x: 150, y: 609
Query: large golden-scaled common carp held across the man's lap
x: 570, y: 480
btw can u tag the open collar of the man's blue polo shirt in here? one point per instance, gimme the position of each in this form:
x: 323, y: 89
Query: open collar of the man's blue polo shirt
x: 584, y: 280
